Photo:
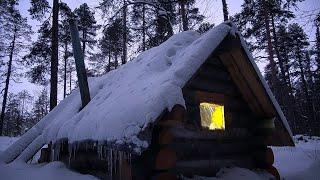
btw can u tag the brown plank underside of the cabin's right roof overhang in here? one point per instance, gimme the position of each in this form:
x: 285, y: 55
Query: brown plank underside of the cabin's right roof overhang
x: 233, y: 57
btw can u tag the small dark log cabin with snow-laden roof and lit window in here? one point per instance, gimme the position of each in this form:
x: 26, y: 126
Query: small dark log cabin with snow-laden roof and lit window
x: 191, y: 106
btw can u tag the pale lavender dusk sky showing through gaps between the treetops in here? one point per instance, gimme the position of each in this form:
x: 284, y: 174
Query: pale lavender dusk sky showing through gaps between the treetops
x: 211, y: 9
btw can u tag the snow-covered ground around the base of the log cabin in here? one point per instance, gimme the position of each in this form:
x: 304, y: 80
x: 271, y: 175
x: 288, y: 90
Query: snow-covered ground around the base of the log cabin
x: 294, y: 163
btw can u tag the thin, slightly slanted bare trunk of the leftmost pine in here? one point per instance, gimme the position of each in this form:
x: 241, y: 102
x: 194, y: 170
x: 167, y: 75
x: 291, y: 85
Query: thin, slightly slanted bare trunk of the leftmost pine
x: 5, y: 95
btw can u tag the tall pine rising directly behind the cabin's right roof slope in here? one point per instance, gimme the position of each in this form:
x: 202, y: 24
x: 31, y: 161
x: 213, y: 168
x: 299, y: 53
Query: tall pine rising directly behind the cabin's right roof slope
x: 264, y: 21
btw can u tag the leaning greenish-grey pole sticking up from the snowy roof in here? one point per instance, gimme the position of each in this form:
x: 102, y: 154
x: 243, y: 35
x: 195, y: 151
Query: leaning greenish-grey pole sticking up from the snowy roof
x: 80, y: 67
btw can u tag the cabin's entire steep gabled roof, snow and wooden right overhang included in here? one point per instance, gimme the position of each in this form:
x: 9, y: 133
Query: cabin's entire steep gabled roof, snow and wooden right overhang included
x: 126, y: 100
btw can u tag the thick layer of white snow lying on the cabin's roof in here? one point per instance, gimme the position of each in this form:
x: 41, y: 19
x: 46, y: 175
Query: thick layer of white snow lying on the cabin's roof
x: 126, y: 100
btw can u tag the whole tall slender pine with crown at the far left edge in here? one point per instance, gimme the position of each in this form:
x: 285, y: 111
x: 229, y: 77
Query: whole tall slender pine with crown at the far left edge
x: 17, y: 32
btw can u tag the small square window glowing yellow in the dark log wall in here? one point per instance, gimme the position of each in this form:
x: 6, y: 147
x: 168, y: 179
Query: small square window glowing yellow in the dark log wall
x: 212, y: 116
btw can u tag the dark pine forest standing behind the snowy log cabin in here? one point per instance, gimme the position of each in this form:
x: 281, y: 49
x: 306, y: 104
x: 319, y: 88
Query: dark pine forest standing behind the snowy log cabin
x: 132, y: 26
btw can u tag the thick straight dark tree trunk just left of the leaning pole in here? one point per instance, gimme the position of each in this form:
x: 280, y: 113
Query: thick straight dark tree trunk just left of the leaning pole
x: 54, y: 56
